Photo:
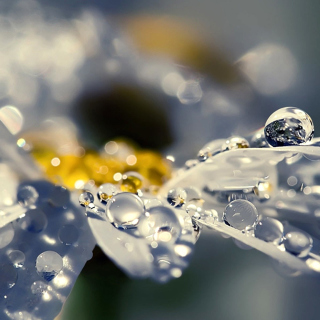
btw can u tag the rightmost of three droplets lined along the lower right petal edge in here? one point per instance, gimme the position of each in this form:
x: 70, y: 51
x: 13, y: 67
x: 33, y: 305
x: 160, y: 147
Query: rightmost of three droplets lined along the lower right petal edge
x: 298, y: 243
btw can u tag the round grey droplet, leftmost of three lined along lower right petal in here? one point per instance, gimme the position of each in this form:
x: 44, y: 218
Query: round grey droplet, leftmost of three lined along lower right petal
x: 240, y: 214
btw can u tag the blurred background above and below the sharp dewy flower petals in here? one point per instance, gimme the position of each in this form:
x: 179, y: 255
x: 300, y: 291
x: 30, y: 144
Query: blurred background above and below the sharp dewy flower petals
x: 169, y: 76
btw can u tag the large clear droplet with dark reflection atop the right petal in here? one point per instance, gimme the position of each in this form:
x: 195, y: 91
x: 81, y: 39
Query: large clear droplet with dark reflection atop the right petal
x: 288, y: 126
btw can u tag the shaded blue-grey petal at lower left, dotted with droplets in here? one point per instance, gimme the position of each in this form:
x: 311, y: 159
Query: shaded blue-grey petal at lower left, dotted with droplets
x: 45, y: 241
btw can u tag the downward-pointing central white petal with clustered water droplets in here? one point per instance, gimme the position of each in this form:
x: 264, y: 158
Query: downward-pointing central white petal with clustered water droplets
x: 141, y: 223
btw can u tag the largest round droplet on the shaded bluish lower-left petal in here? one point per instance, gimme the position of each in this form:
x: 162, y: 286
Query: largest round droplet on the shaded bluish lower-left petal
x: 49, y: 264
